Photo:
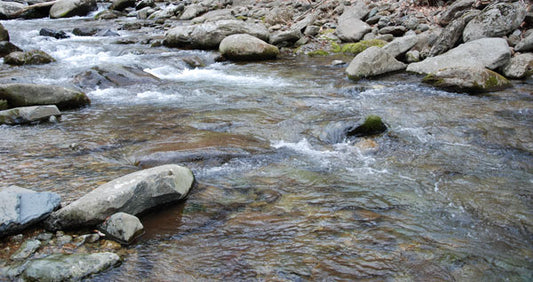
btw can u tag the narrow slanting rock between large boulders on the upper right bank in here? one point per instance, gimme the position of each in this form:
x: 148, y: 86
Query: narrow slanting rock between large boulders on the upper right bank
x: 452, y: 34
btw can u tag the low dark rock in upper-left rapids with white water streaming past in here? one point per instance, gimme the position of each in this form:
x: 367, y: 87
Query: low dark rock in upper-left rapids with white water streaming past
x: 106, y: 76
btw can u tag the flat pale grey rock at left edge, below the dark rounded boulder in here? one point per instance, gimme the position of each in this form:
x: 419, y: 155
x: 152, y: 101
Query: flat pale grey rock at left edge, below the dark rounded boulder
x: 25, y: 115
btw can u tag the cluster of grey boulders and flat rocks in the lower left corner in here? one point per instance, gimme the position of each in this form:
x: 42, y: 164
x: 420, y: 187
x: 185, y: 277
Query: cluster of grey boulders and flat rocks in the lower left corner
x: 111, y: 208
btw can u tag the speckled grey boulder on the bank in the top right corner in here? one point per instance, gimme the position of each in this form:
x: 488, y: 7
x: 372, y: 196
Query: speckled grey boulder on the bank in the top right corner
x: 496, y: 20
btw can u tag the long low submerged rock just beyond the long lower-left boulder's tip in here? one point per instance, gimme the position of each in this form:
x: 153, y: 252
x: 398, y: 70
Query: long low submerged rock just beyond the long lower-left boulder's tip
x: 212, y: 156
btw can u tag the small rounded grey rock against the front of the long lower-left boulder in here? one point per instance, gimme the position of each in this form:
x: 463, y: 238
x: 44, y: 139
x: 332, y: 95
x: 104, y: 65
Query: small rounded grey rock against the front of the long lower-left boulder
x: 122, y: 227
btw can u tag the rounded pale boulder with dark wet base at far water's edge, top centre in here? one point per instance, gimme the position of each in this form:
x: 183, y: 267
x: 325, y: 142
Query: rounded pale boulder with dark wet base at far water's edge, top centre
x: 244, y: 47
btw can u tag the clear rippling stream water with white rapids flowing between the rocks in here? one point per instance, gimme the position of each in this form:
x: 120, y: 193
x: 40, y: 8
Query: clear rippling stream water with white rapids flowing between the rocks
x: 445, y: 194
